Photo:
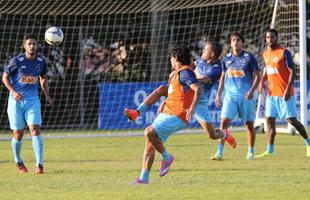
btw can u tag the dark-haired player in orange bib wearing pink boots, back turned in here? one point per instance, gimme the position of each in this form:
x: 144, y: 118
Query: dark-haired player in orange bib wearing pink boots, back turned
x: 183, y: 95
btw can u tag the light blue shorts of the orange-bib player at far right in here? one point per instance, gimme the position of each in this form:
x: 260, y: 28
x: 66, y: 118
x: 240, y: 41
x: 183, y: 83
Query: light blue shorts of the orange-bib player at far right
x: 277, y: 107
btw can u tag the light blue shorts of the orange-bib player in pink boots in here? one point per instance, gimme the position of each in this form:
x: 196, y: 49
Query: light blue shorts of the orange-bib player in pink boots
x: 165, y: 124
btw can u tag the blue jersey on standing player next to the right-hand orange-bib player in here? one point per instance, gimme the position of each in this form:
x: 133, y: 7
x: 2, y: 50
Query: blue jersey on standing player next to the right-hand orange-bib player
x: 239, y: 73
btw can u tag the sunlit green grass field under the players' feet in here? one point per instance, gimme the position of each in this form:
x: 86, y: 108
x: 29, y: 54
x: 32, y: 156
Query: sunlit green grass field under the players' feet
x: 101, y: 168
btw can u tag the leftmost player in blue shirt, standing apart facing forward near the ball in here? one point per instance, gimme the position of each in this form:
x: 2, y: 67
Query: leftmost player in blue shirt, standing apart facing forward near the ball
x: 22, y: 77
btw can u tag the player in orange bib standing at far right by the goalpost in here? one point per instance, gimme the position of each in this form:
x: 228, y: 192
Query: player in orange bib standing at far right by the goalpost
x: 280, y: 103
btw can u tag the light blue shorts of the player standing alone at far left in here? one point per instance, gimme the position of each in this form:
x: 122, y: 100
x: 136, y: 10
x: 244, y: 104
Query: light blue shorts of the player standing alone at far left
x: 22, y: 112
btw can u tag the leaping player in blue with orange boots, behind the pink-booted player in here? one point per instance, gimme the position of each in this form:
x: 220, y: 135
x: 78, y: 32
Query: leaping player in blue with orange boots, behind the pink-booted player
x: 208, y: 70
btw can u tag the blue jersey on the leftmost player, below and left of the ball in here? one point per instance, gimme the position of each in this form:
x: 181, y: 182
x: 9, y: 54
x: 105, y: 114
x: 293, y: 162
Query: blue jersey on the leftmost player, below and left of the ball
x: 24, y: 74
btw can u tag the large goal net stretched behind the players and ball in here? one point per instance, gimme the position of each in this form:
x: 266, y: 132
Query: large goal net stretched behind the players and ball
x: 116, y: 52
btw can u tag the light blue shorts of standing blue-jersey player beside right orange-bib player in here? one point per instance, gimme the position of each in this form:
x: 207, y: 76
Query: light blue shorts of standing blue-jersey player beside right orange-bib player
x: 233, y: 106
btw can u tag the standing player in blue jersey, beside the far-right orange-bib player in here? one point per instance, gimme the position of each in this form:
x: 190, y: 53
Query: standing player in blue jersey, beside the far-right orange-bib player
x: 240, y: 78
